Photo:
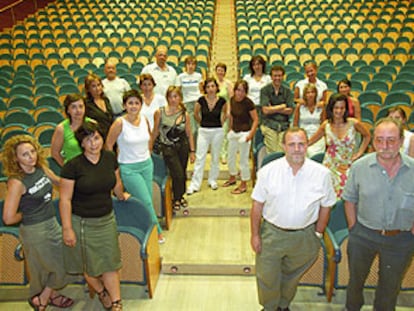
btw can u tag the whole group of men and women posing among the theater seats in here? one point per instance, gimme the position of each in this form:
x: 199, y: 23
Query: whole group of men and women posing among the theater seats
x: 105, y: 144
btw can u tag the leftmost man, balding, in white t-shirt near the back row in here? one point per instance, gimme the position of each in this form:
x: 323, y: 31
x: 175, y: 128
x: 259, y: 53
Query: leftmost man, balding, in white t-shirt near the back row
x: 114, y: 88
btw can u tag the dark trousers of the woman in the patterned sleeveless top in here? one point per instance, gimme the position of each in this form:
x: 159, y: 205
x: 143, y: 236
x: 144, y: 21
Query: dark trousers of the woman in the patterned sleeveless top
x: 176, y: 158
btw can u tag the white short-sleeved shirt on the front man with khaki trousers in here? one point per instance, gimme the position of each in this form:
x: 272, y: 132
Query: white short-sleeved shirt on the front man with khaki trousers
x: 293, y: 201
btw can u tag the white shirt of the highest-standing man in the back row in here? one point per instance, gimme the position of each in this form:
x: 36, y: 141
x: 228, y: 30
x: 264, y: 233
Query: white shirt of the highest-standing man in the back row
x: 163, y: 78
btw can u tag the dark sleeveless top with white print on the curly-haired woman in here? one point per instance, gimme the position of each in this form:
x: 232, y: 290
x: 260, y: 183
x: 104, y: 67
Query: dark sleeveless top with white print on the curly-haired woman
x: 36, y: 203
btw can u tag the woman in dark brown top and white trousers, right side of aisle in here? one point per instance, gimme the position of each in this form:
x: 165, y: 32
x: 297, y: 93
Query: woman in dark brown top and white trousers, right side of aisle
x: 243, y: 124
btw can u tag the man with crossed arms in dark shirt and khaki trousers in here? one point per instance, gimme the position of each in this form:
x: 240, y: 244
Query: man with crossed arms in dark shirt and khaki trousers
x: 276, y: 101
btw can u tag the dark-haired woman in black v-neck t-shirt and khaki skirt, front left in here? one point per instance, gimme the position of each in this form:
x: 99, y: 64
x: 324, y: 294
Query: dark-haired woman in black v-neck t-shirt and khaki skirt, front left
x: 88, y: 222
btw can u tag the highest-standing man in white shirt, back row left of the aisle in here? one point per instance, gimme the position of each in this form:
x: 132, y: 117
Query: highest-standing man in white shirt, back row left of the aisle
x: 164, y: 75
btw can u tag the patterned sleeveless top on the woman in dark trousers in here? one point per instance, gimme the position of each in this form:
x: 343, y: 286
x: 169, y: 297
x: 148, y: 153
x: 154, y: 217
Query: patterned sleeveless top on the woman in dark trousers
x: 172, y: 128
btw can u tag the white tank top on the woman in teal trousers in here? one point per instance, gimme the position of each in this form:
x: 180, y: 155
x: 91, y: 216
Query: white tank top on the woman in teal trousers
x: 133, y: 142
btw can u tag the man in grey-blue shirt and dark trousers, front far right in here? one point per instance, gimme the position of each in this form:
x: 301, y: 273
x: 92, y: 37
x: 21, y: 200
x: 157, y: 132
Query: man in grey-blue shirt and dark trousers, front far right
x: 379, y: 208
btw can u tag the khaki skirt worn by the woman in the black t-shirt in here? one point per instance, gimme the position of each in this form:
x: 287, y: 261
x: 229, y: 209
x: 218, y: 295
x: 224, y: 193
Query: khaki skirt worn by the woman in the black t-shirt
x: 97, y: 249
